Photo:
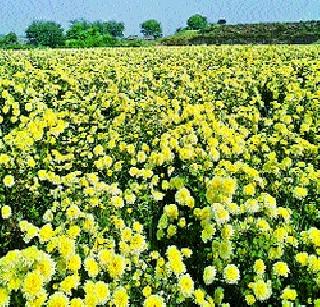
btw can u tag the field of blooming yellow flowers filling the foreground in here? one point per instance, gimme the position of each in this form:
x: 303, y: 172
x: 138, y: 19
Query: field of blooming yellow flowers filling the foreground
x: 160, y: 177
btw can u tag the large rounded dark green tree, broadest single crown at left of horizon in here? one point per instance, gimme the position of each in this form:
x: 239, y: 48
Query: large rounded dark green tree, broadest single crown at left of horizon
x: 45, y: 33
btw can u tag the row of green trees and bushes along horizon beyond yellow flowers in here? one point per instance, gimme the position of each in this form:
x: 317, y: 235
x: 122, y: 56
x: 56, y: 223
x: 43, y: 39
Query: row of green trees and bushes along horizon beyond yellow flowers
x: 82, y: 33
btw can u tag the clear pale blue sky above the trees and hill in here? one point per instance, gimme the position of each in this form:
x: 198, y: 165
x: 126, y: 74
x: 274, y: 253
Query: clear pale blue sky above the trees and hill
x: 15, y: 15
